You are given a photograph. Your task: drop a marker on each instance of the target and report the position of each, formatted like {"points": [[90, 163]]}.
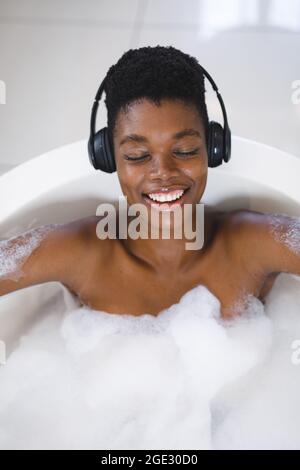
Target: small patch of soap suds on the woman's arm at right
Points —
{"points": [[289, 234]]}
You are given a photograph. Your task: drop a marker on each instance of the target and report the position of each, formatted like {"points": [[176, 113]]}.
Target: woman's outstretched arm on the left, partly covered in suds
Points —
{"points": [[48, 253]]}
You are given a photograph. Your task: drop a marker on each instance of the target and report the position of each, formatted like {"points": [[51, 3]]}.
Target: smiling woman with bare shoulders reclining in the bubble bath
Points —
{"points": [[158, 129]]}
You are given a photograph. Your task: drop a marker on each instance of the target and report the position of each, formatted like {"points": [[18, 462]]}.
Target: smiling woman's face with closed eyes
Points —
{"points": [[150, 144]]}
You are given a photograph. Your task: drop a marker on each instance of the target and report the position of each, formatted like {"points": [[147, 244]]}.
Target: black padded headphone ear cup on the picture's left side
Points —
{"points": [[103, 154]]}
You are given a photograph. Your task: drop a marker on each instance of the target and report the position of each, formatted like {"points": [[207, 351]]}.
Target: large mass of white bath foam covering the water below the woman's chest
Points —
{"points": [[182, 380]]}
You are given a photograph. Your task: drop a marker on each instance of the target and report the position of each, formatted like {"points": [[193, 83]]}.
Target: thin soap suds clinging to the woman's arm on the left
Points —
{"points": [[15, 251]]}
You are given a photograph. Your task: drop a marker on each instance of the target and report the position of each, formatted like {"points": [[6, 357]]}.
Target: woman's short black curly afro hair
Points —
{"points": [[154, 73]]}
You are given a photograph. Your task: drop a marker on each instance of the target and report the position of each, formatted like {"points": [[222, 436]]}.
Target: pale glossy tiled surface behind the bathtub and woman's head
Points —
{"points": [[54, 53]]}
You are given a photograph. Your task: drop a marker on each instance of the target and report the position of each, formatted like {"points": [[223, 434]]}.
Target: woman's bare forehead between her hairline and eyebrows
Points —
{"points": [[147, 118]]}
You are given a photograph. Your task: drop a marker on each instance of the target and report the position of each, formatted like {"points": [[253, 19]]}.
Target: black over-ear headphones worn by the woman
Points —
{"points": [[101, 153]]}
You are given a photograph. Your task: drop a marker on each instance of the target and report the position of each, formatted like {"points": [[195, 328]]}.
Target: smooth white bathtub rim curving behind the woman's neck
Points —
{"points": [[250, 159]]}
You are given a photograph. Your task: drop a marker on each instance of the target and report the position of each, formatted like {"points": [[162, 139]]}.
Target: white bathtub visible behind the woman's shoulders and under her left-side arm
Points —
{"points": [[61, 186]]}
